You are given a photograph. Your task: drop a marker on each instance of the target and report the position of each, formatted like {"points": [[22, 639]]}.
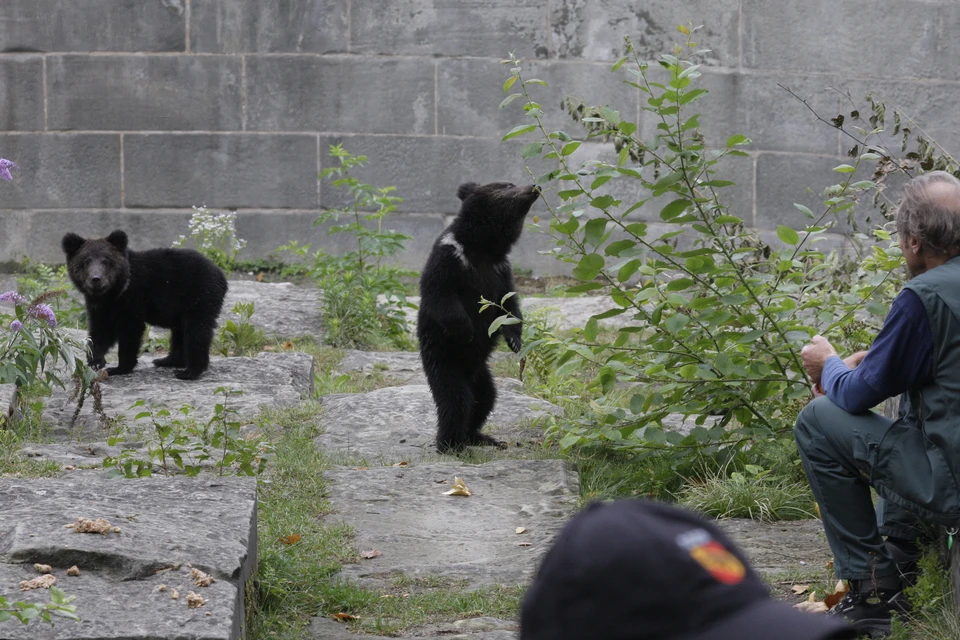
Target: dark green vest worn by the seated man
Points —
{"points": [[918, 461]]}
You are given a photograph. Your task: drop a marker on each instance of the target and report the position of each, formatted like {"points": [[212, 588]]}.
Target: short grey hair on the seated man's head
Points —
{"points": [[930, 212]]}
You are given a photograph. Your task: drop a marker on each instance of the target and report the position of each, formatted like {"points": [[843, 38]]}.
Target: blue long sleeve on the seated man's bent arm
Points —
{"points": [[900, 358]]}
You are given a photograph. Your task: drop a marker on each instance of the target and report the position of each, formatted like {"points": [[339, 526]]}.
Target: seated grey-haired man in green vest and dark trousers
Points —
{"points": [[913, 461]]}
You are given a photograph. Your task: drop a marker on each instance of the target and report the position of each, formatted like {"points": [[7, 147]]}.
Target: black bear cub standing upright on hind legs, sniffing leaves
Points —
{"points": [[469, 260]]}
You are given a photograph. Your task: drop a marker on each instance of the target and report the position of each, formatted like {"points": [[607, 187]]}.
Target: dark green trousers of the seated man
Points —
{"points": [[834, 449]]}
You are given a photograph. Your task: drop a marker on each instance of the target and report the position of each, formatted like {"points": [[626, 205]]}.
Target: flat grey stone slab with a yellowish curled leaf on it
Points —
{"points": [[420, 532]]}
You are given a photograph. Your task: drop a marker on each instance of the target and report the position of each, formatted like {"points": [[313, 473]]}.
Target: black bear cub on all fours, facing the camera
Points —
{"points": [[177, 289]]}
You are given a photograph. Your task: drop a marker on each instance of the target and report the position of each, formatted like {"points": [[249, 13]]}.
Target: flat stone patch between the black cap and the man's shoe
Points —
{"points": [[780, 547]]}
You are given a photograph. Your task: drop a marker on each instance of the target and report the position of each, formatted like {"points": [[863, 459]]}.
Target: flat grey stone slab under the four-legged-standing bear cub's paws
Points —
{"points": [[276, 379]]}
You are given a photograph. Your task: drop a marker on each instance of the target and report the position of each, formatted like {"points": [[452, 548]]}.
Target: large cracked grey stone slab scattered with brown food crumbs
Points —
{"points": [[165, 524]]}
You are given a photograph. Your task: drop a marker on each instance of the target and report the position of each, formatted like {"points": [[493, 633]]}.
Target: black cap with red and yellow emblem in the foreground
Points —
{"points": [[638, 570]]}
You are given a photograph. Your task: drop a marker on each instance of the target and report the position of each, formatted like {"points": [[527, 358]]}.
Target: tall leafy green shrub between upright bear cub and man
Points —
{"points": [[717, 314]]}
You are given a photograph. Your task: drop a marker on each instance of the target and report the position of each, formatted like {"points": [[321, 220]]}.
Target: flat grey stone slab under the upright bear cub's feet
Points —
{"points": [[396, 424]]}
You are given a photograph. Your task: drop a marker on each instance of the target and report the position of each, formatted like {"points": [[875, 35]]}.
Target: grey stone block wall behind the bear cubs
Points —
{"points": [[124, 113]]}
